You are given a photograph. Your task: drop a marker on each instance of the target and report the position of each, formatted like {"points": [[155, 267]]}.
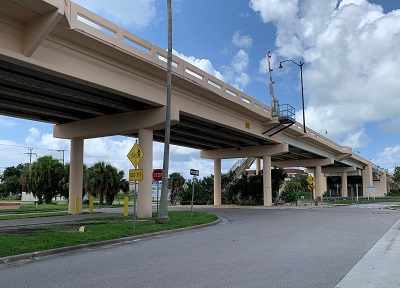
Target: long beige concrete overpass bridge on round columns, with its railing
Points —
{"points": [[62, 64]]}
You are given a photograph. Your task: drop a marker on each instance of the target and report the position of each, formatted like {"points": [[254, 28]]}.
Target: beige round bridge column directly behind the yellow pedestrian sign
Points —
{"points": [[145, 187]]}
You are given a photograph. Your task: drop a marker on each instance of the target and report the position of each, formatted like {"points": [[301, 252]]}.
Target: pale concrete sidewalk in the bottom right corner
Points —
{"points": [[379, 268]]}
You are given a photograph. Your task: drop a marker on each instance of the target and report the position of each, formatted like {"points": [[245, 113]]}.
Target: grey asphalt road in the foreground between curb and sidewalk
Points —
{"points": [[251, 248]]}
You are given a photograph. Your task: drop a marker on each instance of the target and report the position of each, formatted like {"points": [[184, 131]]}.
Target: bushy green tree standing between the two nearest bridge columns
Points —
{"points": [[104, 180]]}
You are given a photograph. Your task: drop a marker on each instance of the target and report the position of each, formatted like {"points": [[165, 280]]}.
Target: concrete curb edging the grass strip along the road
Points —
{"points": [[36, 256]]}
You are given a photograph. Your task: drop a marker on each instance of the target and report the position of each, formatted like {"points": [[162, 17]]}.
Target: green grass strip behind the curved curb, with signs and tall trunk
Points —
{"points": [[31, 239]]}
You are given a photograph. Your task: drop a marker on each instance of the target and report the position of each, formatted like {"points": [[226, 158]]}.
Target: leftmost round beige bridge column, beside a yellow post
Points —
{"points": [[76, 175]]}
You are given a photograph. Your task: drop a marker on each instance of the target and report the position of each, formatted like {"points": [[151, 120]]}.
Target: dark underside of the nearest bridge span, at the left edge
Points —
{"points": [[35, 95]]}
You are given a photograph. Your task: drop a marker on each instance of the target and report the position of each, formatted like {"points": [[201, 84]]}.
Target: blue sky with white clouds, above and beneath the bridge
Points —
{"points": [[350, 50]]}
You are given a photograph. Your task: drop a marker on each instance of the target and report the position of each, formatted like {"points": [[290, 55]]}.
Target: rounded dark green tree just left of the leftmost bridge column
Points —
{"points": [[44, 177]]}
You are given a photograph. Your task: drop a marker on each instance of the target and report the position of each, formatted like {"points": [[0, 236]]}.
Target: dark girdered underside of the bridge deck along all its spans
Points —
{"points": [[35, 95]]}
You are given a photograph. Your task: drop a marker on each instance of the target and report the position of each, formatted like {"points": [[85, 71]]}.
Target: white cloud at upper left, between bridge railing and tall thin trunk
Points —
{"points": [[139, 13]]}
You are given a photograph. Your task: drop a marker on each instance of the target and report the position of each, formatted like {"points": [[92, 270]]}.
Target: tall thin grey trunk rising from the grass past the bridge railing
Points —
{"points": [[163, 211]]}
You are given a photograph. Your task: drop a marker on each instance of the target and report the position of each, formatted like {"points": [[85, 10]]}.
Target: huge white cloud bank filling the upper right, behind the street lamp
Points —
{"points": [[351, 59]]}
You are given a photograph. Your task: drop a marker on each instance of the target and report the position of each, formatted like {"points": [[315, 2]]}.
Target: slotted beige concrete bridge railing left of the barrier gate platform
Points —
{"points": [[96, 26]]}
